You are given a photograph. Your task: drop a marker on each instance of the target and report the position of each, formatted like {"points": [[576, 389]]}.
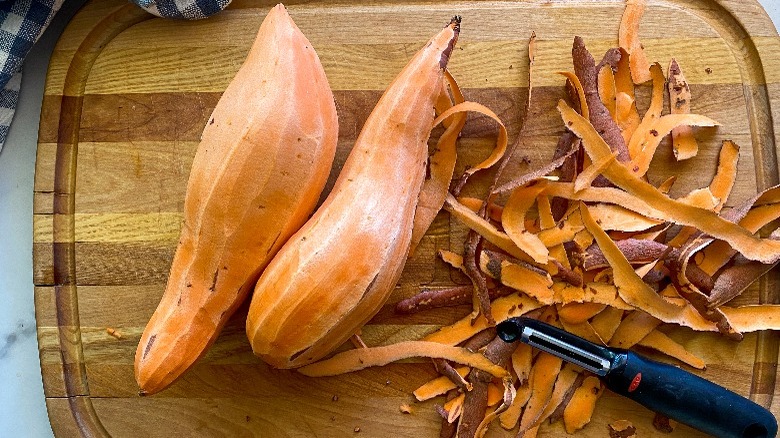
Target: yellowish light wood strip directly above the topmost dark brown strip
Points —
{"points": [[372, 66]]}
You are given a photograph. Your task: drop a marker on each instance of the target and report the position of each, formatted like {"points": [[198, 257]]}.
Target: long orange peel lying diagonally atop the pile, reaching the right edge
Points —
{"points": [[665, 208]]}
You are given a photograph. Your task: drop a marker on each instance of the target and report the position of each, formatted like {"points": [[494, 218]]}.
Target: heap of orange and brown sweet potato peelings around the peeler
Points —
{"points": [[586, 243]]}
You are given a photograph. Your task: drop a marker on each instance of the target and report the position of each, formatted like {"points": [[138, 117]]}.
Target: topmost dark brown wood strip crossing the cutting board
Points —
{"points": [[182, 116]]}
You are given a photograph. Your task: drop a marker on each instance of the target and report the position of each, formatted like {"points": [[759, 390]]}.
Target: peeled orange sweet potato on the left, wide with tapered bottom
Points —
{"points": [[262, 163]]}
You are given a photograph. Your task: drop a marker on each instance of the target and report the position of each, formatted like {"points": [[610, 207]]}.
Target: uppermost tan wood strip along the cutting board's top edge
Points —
{"points": [[378, 24]]}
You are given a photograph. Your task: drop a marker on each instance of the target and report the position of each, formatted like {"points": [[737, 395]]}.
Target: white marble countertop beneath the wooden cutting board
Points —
{"points": [[22, 408]]}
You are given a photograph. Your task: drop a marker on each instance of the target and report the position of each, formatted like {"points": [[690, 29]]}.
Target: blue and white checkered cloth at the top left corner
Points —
{"points": [[23, 21]]}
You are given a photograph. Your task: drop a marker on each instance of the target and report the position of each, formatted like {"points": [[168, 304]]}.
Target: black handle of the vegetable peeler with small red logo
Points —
{"points": [[688, 398]]}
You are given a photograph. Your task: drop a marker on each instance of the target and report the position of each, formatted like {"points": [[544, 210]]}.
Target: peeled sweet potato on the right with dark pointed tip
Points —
{"points": [[338, 270]]}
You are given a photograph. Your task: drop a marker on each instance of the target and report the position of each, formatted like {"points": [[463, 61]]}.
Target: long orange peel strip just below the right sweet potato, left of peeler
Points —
{"points": [[361, 358]]}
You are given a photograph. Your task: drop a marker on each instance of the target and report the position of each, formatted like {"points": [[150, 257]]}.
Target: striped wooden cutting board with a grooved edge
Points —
{"points": [[127, 96]]}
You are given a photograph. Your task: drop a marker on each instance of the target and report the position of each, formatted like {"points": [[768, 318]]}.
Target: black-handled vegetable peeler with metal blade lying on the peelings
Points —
{"points": [[666, 389]]}
